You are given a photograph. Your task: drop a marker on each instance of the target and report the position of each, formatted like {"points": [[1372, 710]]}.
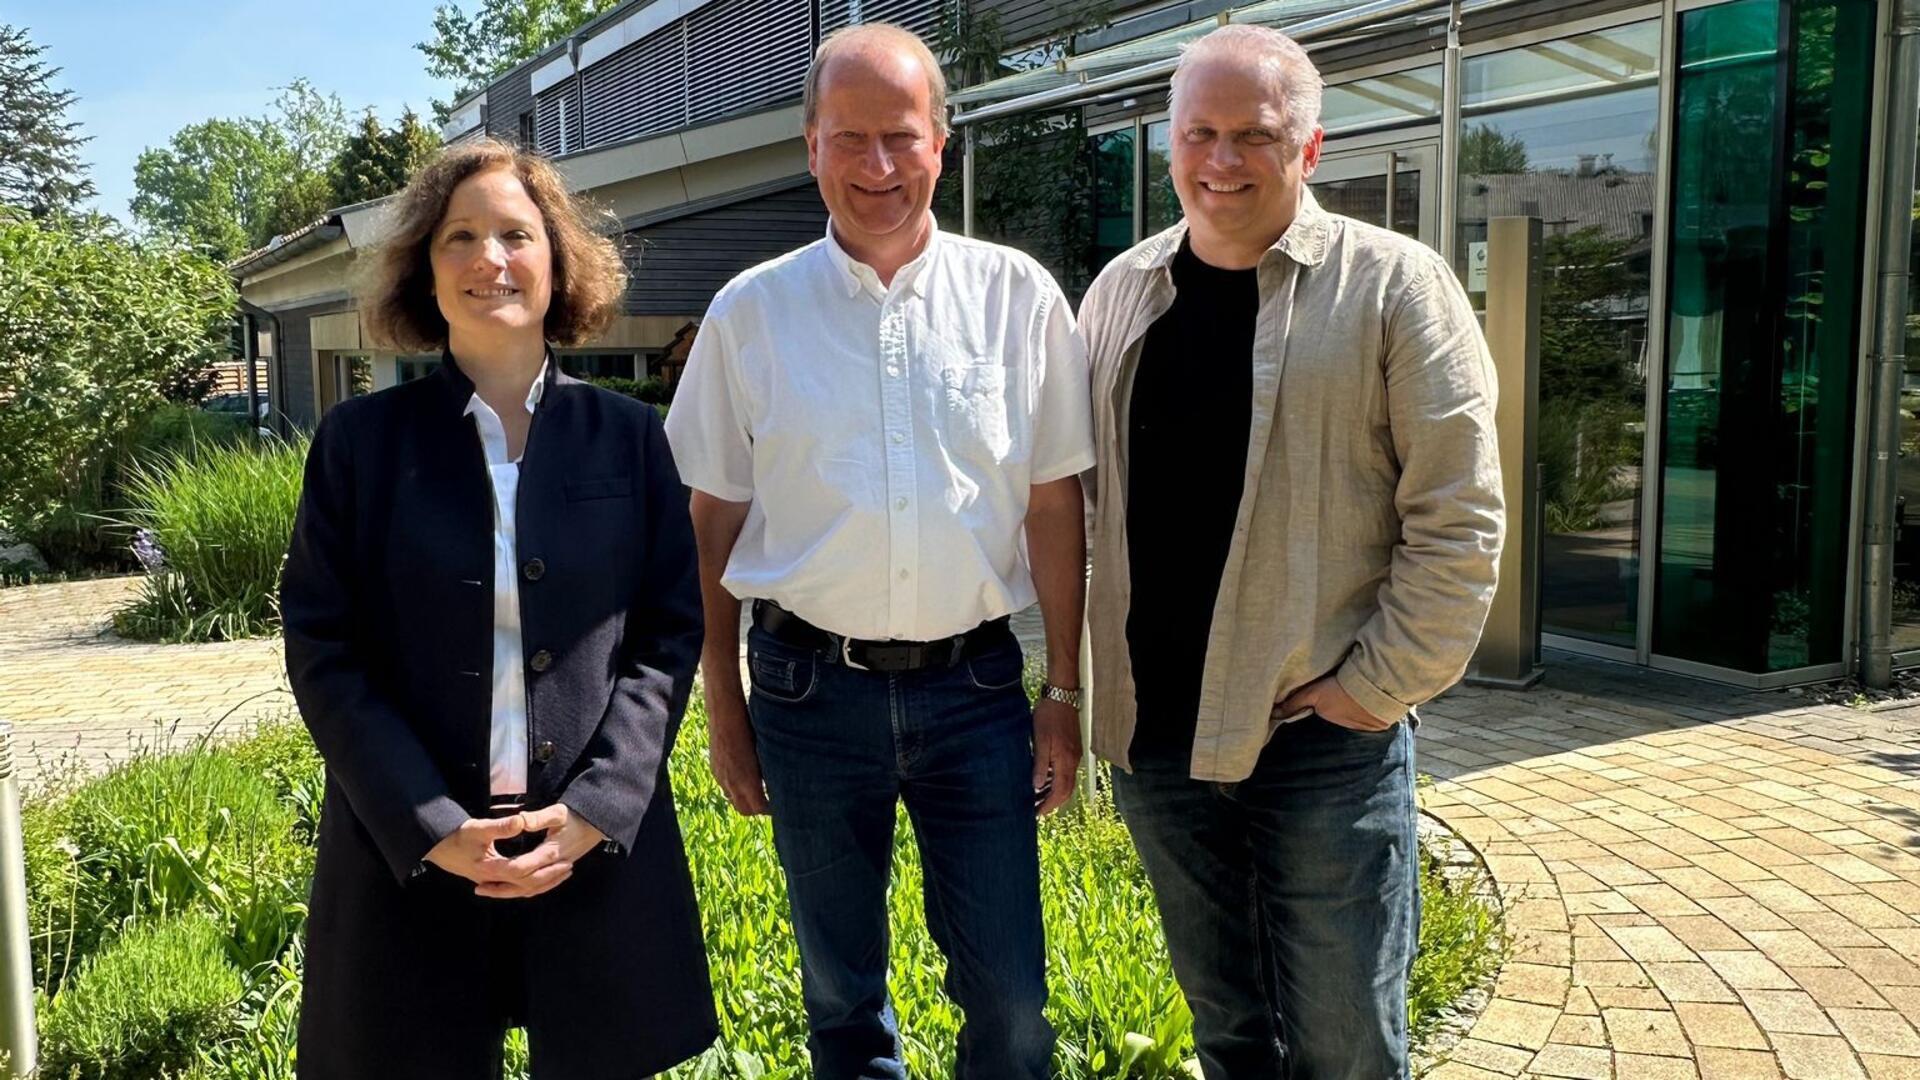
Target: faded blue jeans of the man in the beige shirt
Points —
{"points": [[1291, 900]]}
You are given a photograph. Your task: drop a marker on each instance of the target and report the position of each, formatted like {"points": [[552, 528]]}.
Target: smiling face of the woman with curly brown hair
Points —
{"points": [[492, 260]]}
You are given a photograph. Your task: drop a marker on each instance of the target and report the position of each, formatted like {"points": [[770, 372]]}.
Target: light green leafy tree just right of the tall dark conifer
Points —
{"points": [[231, 185]]}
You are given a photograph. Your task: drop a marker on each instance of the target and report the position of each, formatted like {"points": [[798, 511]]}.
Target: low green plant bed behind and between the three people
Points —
{"points": [[224, 837]]}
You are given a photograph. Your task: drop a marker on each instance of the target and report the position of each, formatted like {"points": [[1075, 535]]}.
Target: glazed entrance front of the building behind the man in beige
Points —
{"points": [[1712, 185]]}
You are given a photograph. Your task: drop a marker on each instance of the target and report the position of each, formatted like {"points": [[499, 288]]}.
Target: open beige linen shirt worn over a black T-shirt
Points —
{"points": [[1372, 510]]}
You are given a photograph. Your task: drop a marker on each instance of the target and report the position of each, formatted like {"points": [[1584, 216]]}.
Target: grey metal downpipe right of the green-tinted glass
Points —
{"points": [[1890, 347]]}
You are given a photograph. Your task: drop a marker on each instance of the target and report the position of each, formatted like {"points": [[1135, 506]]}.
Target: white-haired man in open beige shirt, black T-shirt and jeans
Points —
{"points": [[1259, 654]]}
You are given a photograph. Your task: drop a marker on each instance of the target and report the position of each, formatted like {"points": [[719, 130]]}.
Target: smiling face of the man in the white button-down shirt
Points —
{"points": [[875, 149]]}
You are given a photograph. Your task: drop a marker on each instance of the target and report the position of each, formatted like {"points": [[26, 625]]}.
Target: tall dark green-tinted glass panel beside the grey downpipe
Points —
{"points": [[1769, 210]]}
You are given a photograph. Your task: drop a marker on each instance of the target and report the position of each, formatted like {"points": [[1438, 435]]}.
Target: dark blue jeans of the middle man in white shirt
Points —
{"points": [[838, 750]]}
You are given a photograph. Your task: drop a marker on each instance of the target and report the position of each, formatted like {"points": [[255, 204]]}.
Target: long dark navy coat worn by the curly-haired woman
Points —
{"points": [[389, 614]]}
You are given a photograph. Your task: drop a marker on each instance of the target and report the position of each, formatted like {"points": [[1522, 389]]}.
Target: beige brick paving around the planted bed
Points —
{"points": [[1700, 883]]}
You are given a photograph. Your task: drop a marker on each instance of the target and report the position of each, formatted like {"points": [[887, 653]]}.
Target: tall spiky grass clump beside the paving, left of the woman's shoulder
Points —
{"points": [[222, 520]]}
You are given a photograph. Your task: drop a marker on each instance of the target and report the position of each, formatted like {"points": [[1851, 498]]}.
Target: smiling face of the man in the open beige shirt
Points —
{"points": [[1234, 170]]}
